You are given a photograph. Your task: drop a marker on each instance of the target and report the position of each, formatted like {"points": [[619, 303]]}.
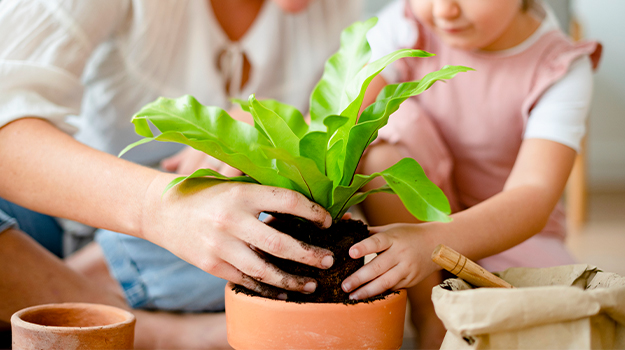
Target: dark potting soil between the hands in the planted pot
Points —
{"points": [[338, 238]]}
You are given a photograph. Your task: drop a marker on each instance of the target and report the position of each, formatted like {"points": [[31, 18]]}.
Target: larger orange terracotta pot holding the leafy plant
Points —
{"points": [[260, 323]]}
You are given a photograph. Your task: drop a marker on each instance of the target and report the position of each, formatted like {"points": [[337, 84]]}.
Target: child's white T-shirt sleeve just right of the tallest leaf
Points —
{"points": [[392, 32]]}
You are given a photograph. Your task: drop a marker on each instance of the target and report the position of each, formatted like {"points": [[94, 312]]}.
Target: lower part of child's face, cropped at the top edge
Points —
{"points": [[469, 24]]}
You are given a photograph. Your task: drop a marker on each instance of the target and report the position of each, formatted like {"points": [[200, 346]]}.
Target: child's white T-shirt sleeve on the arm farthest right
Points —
{"points": [[560, 114]]}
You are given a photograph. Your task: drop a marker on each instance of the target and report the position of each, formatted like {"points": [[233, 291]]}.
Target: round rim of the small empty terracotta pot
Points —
{"points": [[16, 318]]}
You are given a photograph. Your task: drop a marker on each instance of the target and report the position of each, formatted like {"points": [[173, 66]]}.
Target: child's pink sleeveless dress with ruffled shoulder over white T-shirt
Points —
{"points": [[467, 132]]}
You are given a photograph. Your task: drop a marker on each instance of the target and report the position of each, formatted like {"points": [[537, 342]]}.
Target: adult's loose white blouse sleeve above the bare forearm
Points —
{"points": [[44, 47]]}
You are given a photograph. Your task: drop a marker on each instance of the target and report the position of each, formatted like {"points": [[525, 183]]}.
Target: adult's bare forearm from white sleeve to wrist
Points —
{"points": [[48, 171]]}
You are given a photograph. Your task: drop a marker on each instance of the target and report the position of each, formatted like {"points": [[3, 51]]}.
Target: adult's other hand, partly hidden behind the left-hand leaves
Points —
{"points": [[189, 160]]}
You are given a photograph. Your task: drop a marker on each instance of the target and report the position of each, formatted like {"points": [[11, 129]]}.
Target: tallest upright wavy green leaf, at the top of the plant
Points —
{"points": [[339, 70]]}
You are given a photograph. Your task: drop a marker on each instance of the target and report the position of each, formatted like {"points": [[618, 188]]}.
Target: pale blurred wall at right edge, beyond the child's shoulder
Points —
{"points": [[603, 20]]}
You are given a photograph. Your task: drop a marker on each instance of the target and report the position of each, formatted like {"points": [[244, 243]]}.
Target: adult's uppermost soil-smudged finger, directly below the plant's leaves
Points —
{"points": [[280, 200]]}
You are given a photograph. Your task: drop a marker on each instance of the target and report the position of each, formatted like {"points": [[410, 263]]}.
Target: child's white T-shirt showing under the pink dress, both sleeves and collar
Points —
{"points": [[561, 112]]}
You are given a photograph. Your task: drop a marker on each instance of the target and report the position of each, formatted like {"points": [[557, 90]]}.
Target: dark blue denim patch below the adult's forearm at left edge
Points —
{"points": [[42, 228]]}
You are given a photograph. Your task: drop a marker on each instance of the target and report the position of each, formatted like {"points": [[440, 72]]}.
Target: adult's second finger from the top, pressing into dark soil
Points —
{"points": [[276, 243]]}
